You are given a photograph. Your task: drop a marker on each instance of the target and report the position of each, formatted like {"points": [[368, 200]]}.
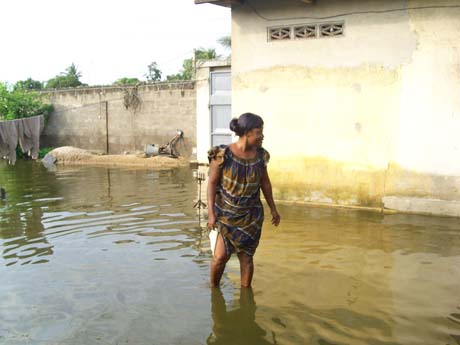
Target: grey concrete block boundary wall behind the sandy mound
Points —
{"points": [[82, 117]]}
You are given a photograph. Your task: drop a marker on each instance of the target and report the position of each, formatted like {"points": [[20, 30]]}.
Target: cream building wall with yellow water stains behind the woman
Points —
{"points": [[361, 99]]}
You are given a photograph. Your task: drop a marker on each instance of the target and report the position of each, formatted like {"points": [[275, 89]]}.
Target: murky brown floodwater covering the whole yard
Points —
{"points": [[117, 256]]}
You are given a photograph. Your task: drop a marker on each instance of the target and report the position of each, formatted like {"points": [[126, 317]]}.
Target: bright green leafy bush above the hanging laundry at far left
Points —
{"points": [[20, 103]]}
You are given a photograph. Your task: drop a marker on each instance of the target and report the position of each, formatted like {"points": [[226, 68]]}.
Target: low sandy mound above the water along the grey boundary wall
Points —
{"points": [[68, 155]]}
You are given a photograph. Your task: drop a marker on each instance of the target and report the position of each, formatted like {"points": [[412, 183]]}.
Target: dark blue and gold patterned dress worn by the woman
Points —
{"points": [[238, 208]]}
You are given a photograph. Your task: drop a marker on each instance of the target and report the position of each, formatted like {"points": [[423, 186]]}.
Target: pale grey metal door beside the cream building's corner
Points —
{"points": [[221, 107]]}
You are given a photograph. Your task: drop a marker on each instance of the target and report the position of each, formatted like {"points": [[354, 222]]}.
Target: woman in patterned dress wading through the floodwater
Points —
{"points": [[237, 172]]}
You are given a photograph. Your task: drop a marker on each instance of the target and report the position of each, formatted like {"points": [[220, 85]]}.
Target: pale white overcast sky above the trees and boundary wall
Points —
{"points": [[106, 40]]}
